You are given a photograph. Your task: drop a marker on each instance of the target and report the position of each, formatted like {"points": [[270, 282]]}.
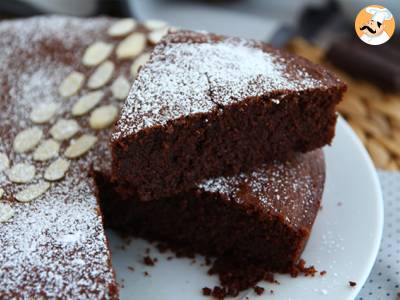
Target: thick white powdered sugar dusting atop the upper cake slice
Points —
{"points": [[191, 73]]}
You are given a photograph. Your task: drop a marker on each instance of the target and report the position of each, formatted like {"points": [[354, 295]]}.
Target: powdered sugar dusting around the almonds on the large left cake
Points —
{"points": [[54, 246]]}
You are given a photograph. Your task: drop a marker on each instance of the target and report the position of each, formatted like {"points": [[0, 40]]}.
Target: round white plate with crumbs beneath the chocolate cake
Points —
{"points": [[344, 241]]}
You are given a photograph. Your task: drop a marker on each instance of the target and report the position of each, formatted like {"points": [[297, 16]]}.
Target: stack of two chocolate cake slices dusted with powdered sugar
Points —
{"points": [[216, 152]]}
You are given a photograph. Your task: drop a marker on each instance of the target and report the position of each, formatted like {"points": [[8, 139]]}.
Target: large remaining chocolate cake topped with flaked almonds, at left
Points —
{"points": [[55, 82]]}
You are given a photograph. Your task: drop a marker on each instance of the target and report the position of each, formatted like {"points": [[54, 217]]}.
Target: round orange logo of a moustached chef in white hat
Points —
{"points": [[374, 25]]}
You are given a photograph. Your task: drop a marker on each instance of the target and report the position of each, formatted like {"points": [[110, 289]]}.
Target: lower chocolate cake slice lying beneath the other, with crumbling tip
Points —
{"points": [[252, 223]]}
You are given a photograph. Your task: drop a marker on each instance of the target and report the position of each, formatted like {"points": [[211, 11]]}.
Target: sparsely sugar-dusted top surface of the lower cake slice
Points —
{"points": [[290, 189]]}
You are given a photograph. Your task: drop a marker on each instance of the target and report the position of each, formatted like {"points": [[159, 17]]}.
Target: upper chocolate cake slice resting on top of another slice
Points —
{"points": [[207, 105]]}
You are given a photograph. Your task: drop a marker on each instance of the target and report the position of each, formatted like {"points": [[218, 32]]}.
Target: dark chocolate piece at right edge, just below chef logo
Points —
{"points": [[377, 64]]}
